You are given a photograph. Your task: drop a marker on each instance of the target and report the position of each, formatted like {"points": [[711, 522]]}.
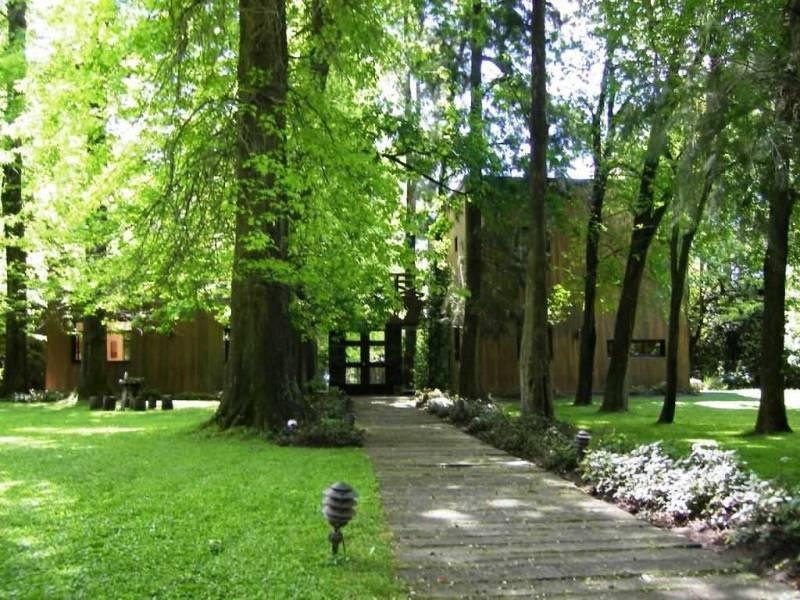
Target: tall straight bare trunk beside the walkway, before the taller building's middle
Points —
{"points": [[536, 397]]}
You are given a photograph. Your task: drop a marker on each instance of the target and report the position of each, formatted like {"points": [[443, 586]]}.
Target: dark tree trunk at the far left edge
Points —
{"points": [[15, 374]]}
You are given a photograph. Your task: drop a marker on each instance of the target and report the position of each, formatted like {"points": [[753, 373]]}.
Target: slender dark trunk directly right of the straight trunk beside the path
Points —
{"points": [[588, 341]]}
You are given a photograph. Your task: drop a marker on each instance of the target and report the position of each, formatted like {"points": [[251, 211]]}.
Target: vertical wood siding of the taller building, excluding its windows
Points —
{"points": [[503, 289]]}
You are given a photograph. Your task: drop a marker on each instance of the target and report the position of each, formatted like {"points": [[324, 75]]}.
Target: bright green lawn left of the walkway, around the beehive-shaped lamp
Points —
{"points": [[144, 505]]}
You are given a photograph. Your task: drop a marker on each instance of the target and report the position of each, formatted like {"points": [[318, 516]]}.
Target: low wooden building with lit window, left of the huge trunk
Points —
{"points": [[191, 358]]}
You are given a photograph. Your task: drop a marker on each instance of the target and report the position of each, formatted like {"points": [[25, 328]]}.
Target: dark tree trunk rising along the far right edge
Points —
{"points": [[781, 196]]}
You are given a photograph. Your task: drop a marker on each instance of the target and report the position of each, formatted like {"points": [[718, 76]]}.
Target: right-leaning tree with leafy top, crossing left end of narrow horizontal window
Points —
{"points": [[661, 48]]}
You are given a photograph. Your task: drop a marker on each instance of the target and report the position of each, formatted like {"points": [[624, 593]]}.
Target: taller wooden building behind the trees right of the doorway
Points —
{"points": [[504, 231]]}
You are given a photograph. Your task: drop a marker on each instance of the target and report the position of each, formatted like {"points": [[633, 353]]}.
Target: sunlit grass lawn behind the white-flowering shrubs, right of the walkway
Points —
{"points": [[726, 417]]}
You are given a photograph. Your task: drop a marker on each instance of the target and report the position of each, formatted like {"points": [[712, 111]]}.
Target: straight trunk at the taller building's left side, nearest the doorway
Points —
{"points": [[469, 384]]}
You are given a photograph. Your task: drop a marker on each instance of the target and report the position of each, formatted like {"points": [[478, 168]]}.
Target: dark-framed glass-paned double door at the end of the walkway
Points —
{"points": [[358, 363]]}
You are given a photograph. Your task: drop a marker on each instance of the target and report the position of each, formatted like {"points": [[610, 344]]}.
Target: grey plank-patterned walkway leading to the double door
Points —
{"points": [[471, 521]]}
